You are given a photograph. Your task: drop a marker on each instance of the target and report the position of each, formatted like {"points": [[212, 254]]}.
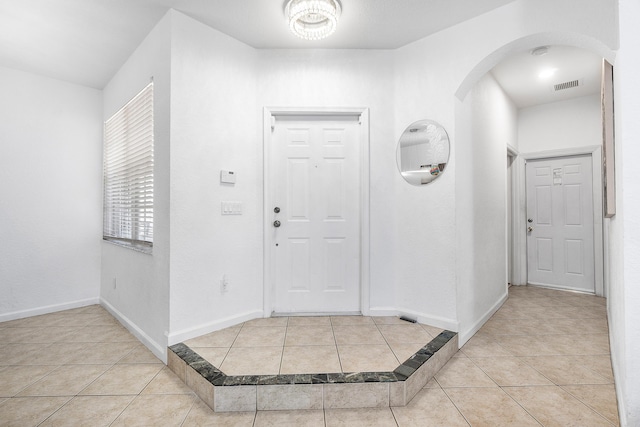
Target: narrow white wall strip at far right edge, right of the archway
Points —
{"points": [[624, 272]]}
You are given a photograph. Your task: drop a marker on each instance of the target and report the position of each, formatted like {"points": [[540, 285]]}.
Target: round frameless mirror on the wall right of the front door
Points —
{"points": [[423, 152]]}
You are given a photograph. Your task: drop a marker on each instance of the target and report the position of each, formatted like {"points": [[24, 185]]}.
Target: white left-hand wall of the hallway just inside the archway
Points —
{"points": [[488, 120]]}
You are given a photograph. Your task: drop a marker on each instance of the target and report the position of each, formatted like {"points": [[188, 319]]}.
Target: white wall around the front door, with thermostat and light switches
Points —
{"points": [[219, 89]]}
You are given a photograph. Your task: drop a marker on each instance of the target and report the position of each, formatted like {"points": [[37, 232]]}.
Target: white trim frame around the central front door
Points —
{"points": [[269, 117]]}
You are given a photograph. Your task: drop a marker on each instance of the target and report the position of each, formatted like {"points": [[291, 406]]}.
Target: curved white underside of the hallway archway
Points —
{"points": [[530, 42]]}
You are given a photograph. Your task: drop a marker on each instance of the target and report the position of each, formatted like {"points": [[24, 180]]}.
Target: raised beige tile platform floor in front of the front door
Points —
{"points": [[313, 345]]}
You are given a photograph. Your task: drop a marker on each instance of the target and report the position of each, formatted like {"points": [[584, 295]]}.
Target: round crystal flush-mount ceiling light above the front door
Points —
{"points": [[313, 19]]}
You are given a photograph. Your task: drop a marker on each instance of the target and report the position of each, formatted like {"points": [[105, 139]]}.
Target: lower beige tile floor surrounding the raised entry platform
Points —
{"points": [[543, 359]]}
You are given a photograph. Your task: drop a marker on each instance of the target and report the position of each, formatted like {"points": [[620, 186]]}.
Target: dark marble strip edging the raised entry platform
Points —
{"points": [[401, 373]]}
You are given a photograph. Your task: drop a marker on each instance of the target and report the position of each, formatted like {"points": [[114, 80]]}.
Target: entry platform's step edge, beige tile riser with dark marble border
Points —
{"points": [[403, 383]]}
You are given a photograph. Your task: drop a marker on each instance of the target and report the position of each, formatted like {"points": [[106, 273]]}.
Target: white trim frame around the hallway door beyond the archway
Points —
{"points": [[595, 151]]}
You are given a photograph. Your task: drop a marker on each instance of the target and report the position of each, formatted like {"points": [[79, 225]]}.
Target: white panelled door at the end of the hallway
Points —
{"points": [[560, 245]]}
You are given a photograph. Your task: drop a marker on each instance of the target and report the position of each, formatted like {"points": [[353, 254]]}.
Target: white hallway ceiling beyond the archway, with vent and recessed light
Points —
{"points": [[519, 75]]}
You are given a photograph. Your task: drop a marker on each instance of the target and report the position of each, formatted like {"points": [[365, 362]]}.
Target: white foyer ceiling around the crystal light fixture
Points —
{"points": [[86, 41]]}
